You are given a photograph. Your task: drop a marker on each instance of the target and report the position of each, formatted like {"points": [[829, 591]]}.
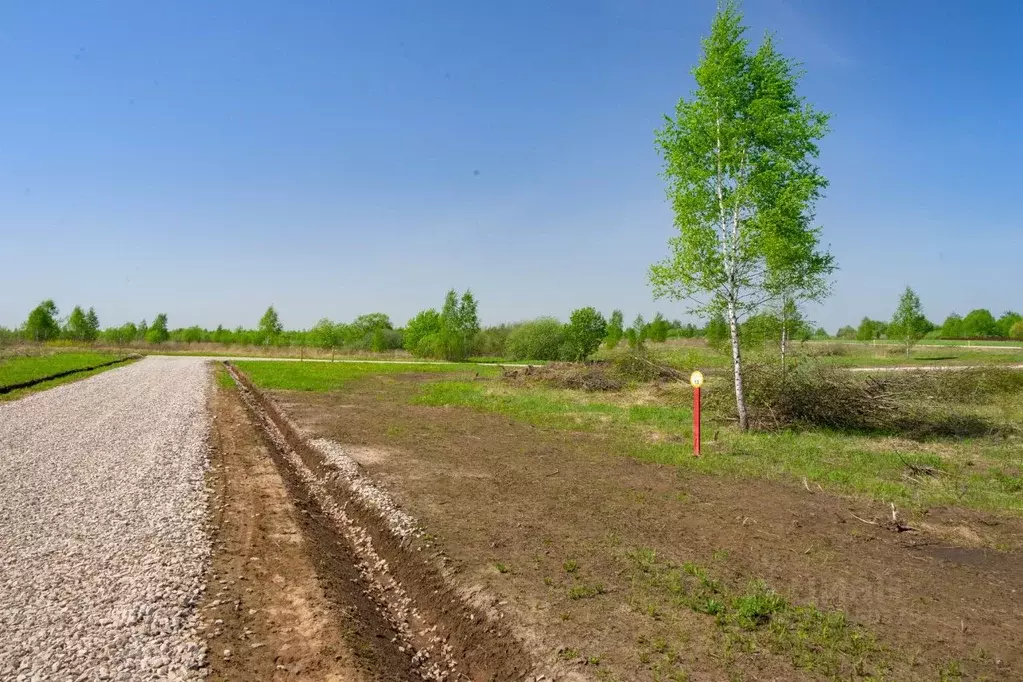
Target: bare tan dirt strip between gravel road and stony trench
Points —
{"points": [[284, 600]]}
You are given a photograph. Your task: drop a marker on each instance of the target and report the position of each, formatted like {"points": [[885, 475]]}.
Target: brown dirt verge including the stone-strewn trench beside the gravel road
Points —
{"points": [[309, 583]]}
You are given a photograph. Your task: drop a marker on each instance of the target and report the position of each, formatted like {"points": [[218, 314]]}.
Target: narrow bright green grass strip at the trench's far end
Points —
{"points": [[324, 377]]}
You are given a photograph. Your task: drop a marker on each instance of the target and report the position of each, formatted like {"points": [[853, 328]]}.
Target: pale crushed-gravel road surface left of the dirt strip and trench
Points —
{"points": [[103, 541]]}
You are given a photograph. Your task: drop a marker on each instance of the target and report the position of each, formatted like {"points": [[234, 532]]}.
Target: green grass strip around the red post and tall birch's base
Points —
{"points": [[983, 474]]}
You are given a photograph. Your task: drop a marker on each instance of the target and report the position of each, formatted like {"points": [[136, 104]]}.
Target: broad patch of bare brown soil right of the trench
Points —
{"points": [[581, 549]]}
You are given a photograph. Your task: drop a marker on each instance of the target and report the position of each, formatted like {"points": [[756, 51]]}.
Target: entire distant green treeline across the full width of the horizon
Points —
{"points": [[455, 333]]}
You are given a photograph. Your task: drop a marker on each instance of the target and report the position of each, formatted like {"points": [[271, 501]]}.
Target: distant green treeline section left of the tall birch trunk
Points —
{"points": [[453, 333]]}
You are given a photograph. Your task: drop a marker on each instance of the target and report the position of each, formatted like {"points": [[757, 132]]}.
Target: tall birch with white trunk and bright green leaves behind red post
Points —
{"points": [[739, 162]]}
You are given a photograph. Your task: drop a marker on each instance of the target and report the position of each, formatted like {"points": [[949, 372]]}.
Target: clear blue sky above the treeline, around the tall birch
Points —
{"points": [[208, 159]]}
